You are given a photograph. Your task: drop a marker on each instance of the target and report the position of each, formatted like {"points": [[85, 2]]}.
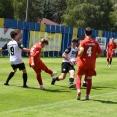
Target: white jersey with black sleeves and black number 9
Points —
{"points": [[15, 50]]}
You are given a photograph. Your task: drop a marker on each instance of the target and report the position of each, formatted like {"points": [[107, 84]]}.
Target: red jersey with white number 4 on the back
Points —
{"points": [[91, 47]]}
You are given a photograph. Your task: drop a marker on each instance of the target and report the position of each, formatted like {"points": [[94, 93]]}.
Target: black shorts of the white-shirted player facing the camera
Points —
{"points": [[66, 67]]}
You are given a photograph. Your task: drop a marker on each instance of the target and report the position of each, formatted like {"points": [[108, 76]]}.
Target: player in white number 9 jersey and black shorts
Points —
{"points": [[15, 48]]}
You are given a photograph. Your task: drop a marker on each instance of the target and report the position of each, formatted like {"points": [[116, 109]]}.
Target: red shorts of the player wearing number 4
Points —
{"points": [[86, 71]]}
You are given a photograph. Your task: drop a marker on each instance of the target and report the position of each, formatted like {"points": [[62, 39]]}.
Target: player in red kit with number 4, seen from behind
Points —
{"points": [[89, 50]]}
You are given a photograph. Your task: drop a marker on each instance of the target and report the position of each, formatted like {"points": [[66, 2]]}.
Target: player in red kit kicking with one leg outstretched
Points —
{"points": [[36, 63]]}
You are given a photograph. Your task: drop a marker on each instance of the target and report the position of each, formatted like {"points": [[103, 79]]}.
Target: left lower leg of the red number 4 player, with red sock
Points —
{"points": [[78, 86]]}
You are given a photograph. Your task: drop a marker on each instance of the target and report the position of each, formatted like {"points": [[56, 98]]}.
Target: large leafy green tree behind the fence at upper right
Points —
{"points": [[89, 13]]}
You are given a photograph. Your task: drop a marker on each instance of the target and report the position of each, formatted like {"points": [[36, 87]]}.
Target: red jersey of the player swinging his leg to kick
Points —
{"points": [[35, 52]]}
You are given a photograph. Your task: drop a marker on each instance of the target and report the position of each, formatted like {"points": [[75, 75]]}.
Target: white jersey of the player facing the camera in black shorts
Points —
{"points": [[71, 53]]}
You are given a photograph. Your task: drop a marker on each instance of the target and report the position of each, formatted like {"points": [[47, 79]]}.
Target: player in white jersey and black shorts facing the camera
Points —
{"points": [[67, 65]]}
